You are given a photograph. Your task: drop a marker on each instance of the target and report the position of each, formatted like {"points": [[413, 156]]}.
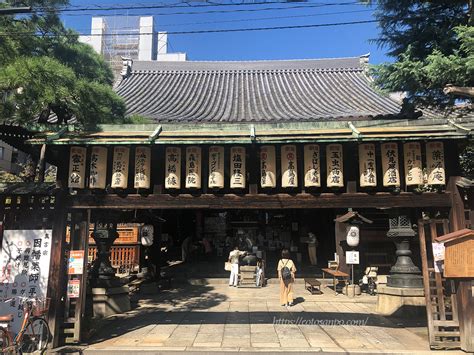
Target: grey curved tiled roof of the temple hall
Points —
{"points": [[261, 91]]}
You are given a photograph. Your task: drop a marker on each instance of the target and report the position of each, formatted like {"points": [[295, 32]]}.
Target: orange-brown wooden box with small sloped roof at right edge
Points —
{"points": [[459, 253]]}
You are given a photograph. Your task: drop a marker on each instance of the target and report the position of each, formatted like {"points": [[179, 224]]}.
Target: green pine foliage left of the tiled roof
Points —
{"points": [[46, 72]]}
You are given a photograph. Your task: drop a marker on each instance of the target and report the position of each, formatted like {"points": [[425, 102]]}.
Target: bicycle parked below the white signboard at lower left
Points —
{"points": [[34, 333]]}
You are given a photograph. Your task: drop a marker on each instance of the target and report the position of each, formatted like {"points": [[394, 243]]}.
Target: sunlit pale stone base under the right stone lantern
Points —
{"points": [[392, 301]]}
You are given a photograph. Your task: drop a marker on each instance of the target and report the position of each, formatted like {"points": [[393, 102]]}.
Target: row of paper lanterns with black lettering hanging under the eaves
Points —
{"points": [[268, 167]]}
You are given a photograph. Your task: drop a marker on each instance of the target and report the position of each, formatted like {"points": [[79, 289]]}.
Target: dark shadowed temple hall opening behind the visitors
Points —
{"points": [[209, 236]]}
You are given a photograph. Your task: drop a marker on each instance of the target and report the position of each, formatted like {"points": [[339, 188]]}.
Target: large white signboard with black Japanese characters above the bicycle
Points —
{"points": [[24, 258]]}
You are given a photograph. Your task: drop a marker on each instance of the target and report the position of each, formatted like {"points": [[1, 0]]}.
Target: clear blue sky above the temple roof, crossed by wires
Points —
{"points": [[322, 42]]}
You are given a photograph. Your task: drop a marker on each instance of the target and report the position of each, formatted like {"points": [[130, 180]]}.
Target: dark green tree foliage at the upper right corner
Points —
{"points": [[432, 43]]}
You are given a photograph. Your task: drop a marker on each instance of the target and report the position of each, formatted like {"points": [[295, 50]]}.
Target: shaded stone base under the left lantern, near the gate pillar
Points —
{"points": [[110, 301]]}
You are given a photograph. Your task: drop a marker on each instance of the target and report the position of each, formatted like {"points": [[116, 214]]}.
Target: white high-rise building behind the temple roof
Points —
{"points": [[132, 37]]}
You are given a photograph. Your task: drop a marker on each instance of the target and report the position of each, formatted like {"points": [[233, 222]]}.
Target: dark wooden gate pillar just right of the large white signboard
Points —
{"points": [[57, 270]]}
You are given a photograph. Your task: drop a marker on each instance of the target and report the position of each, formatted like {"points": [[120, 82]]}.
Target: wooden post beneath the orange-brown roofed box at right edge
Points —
{"points": [[465, 305]]}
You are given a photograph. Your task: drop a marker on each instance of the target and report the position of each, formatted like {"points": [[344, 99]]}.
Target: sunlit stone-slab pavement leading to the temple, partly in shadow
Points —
{"points": [[221, 318]]}
